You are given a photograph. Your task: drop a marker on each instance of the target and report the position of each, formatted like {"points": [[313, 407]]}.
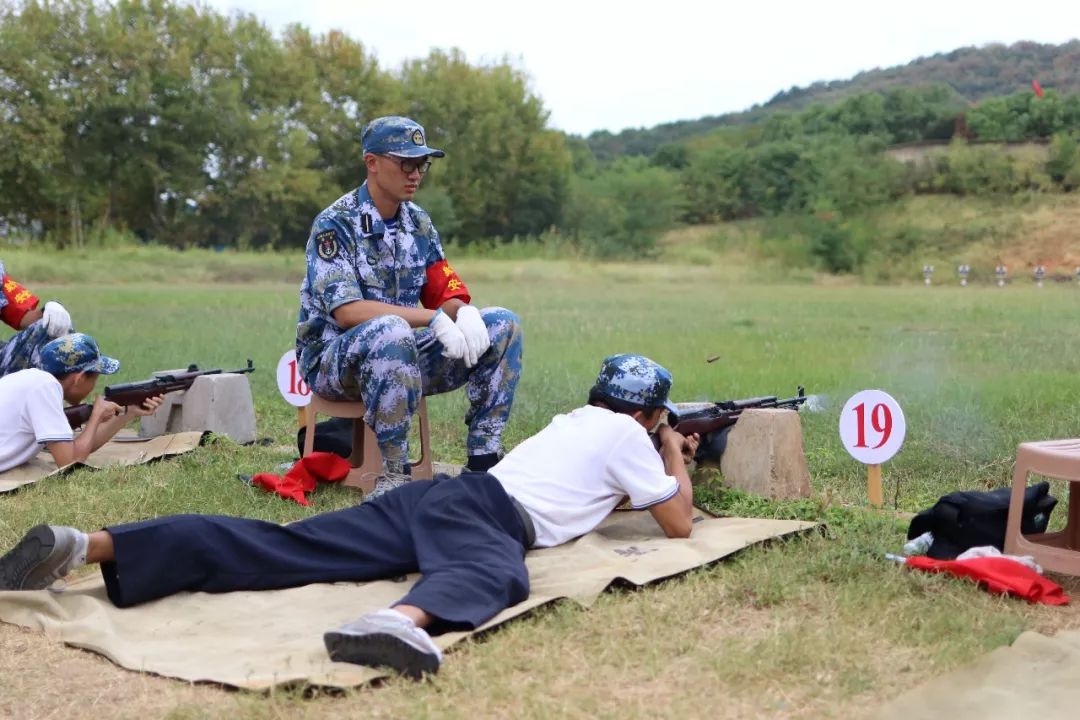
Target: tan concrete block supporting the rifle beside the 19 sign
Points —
{"points": [[765, 455]]}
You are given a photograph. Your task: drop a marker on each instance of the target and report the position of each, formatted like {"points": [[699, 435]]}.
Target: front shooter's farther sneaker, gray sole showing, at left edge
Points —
{"points": [[43, 556]]}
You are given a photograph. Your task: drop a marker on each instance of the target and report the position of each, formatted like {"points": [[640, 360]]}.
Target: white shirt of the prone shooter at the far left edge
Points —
{"points": [[32, 414]]}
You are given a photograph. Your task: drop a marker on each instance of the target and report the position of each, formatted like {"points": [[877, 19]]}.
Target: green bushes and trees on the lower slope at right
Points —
{"points": [[829, 164]]}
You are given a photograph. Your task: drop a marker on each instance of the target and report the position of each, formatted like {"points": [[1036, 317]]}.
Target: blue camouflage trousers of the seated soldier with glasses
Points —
{"points": [[388, 365]]}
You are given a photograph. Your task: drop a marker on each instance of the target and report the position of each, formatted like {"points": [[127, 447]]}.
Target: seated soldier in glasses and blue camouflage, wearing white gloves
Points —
{"points": [[373, 257]]}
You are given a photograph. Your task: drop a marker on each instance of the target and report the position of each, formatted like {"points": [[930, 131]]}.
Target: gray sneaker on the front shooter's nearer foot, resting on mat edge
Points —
{"points": [[385, 639]]}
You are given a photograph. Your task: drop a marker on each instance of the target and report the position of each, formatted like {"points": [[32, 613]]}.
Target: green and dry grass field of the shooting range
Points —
{"points": [[819, 627]]}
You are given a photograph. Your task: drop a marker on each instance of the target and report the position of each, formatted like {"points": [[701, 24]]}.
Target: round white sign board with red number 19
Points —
{"points": [[872, 427]]}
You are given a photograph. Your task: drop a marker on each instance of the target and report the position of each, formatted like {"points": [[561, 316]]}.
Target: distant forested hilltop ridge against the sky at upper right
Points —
{"points": [[973, 73]]}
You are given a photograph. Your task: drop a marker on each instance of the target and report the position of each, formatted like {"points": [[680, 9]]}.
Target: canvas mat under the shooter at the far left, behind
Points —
{"points": [[125, 450]]}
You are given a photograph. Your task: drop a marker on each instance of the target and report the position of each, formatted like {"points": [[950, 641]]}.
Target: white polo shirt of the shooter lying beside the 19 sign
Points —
{"points": [[572, 474]]}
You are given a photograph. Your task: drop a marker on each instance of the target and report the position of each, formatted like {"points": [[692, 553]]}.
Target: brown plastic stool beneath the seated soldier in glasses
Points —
{"points": [[367, 458]]}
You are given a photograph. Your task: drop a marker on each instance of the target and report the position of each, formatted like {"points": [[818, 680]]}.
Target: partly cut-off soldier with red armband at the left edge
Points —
{"points": [[19, 309]]}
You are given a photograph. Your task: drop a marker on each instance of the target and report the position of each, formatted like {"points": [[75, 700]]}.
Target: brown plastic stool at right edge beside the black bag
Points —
{"points": [[1055, 551]]}
